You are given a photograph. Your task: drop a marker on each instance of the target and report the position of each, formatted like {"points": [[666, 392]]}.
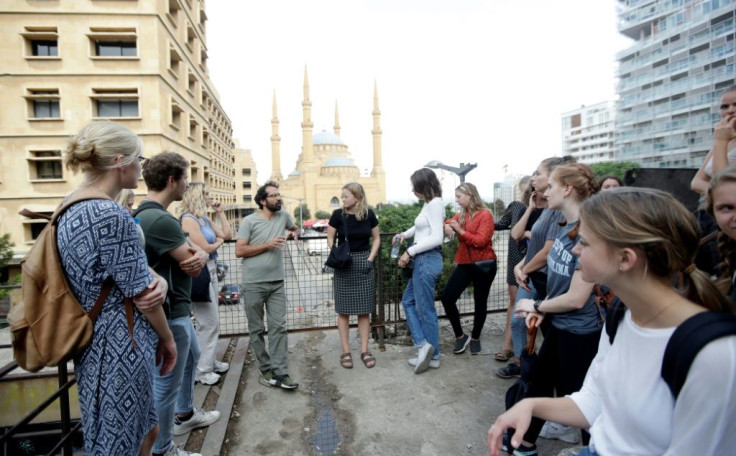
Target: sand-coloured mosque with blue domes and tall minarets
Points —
{"points": [[325, 164]]}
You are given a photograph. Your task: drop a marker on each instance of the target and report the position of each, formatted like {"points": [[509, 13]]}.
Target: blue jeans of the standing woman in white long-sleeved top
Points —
{"points": [[418, 300]]}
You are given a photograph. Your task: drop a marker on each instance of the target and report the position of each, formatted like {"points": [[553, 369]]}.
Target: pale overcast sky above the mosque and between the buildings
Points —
{"points": [[474, 81]]}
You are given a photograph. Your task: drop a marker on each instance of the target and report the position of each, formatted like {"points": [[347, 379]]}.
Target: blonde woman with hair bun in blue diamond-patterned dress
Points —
{"points": [[97, 240]]}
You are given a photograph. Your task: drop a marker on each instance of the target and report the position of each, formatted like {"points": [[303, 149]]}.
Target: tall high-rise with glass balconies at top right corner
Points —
{"points": [[671, 78]]}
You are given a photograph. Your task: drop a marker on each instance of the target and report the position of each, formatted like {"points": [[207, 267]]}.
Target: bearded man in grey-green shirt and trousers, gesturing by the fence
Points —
{"points": [[260, 241]]}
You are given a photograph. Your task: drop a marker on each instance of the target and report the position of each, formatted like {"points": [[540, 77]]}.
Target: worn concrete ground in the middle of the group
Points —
{"points": [[387, 410]]}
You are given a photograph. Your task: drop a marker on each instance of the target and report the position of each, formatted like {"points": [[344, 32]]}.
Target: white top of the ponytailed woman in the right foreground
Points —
{"points": [[632, 411]]}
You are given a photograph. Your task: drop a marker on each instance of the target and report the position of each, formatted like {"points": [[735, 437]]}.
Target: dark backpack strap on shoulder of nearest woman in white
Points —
{"points": [[686, 342]]}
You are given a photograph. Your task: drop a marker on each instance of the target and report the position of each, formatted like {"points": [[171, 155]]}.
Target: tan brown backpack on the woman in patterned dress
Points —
{"points": [[50, 326]]}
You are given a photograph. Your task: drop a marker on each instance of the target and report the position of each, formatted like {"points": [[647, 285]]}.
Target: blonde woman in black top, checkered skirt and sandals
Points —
{"points": [[355, 286]]}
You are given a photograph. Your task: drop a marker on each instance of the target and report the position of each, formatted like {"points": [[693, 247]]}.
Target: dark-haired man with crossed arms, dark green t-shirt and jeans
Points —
{"points": [[177, 260]]}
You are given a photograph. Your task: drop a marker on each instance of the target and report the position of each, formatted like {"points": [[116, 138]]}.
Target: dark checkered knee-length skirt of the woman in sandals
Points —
{"points": [[355, 286]]}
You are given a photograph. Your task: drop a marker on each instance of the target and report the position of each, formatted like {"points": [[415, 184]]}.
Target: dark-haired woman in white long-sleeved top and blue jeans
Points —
{"points": [[426, 254]]}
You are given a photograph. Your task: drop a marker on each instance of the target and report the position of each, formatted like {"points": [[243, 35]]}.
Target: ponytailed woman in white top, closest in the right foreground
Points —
{"points": [[635, 241]]}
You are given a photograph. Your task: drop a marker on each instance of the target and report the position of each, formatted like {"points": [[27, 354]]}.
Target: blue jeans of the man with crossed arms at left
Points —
{"points": [[174, 392]]}
